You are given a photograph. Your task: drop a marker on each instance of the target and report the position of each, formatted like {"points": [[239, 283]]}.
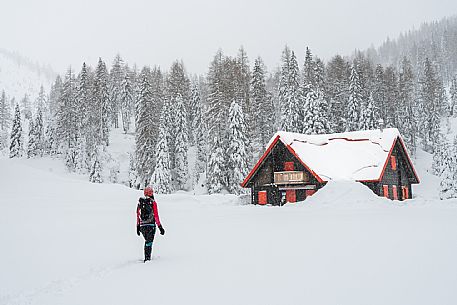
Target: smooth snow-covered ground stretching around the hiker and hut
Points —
{"points": [[66, 241]]}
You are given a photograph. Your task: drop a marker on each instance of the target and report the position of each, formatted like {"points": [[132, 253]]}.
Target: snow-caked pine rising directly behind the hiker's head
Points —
{"points": [[161, 179]]}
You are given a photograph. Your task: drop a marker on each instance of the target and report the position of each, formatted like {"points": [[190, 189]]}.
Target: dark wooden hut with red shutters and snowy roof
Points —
{"points": [[295, 166]]}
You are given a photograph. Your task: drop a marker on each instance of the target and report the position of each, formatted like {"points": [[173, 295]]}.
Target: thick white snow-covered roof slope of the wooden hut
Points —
{"points": [[358, 155]]}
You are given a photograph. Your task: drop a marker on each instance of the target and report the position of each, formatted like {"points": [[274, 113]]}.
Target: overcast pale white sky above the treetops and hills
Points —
{"points": [[61, 32]]}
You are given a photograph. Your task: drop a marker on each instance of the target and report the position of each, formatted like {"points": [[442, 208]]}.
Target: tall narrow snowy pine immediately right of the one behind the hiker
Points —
{"points": [[181, 144]]}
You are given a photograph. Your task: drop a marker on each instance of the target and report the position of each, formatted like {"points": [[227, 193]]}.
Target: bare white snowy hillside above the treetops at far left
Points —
{"points": [[19, 76]]}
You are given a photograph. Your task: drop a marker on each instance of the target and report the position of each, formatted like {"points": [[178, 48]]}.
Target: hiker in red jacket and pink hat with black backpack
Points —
{"points": [[147, 219]]}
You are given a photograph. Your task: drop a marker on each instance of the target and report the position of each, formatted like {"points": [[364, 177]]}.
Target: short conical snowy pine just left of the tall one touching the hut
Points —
{"points": [[216, 178]]}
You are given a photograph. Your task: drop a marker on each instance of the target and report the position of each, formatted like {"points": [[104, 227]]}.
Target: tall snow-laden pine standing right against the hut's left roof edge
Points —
{"points": [[238, 167]]}
